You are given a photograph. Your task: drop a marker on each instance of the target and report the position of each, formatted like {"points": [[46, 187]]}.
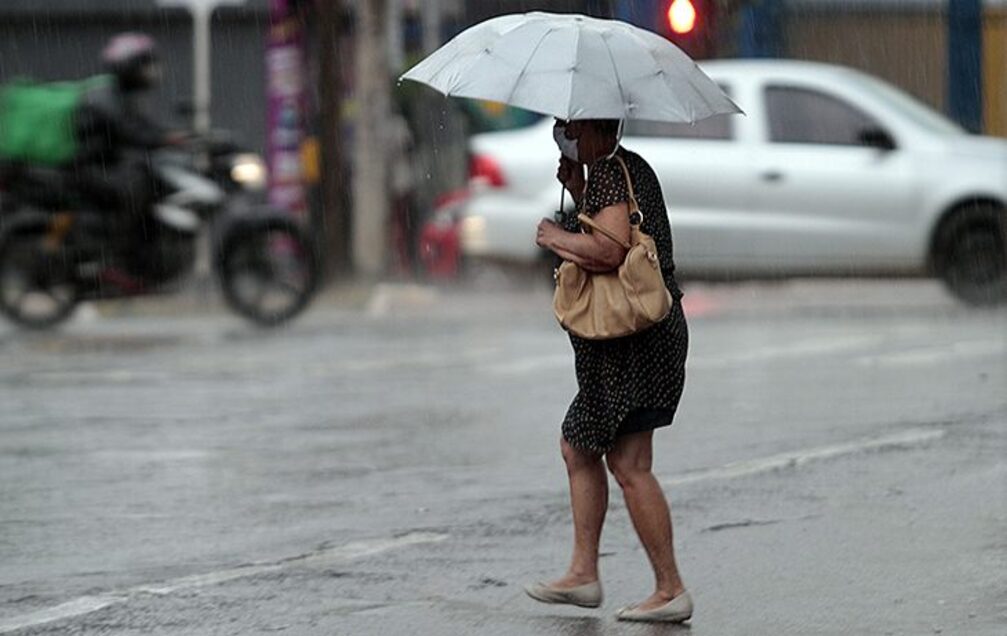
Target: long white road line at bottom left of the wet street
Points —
{"points": [[90, 604]]}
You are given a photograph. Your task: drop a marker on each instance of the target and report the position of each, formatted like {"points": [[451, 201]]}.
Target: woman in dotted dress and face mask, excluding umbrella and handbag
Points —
{"points": [[629, 387]]}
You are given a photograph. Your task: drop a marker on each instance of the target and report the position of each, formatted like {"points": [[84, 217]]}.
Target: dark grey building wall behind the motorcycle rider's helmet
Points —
{"points": [[61, 40]]}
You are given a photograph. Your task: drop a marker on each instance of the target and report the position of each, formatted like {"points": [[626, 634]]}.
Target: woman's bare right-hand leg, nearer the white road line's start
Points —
{"points": [[631, 461]]}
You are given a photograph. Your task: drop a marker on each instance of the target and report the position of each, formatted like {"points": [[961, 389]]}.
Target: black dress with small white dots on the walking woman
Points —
{"points": [[633, 384]]}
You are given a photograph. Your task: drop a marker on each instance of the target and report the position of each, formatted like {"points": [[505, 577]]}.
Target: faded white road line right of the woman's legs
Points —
{"points": [[796, 459]]}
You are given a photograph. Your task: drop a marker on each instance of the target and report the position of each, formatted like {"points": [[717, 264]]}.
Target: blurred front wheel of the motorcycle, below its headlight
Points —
{"points": [[269, 272]]}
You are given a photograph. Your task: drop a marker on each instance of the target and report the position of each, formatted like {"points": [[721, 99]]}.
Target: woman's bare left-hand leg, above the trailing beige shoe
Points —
{"points": [[590, 502]]}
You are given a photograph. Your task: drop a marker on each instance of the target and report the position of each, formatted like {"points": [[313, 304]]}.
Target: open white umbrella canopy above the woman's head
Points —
{"points": [[573, 67]]}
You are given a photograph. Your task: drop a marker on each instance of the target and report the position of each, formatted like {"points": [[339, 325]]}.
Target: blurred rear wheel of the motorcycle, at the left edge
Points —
{"points": [[38, 289]]}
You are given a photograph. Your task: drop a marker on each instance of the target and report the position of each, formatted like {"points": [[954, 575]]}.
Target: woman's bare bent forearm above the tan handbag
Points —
{"points": [[594, 252]]}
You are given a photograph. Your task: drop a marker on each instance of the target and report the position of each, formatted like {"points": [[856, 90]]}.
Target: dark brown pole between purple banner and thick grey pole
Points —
{"points": [[336, 214]]}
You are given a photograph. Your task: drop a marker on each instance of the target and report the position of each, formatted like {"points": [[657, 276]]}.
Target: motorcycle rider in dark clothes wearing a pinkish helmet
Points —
{"points": [[115, 137]]}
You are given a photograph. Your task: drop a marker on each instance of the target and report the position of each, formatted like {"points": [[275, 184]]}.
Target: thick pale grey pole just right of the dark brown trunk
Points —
{"points": [[371, 202]]}
